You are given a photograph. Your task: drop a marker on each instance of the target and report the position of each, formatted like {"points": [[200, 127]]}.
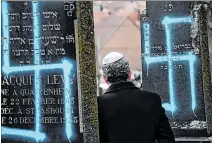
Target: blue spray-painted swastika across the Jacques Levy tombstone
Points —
{"points": [[66, 65]]}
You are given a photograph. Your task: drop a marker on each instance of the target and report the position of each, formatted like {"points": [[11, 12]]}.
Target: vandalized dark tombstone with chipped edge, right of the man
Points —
{"points": [[173, 64]]}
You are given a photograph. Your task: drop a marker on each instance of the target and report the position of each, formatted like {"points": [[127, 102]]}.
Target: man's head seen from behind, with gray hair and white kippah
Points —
{"points": [[115, 68]]}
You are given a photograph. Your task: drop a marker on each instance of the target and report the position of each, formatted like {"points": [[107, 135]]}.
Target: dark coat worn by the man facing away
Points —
{"points": [[130, 115]]}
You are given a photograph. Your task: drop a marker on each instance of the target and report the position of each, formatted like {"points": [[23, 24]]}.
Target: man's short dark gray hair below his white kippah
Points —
{"points": [[117, 71]]}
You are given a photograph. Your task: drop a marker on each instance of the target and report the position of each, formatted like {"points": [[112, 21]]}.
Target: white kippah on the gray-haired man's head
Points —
{"points": [[112, 57]]}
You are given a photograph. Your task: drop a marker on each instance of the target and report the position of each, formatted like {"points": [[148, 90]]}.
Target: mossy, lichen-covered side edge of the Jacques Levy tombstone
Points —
{"points": [[88, 70]]}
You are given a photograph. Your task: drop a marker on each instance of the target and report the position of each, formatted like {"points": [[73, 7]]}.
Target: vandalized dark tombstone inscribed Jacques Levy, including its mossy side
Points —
{"points": [[48, 72]]}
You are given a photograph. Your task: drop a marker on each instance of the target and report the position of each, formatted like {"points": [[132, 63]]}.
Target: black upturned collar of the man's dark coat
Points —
{"points": [[121, 86]]}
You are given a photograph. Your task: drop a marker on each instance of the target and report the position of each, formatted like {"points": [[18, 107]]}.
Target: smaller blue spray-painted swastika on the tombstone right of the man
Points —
{"points": [[168, 22]]}
